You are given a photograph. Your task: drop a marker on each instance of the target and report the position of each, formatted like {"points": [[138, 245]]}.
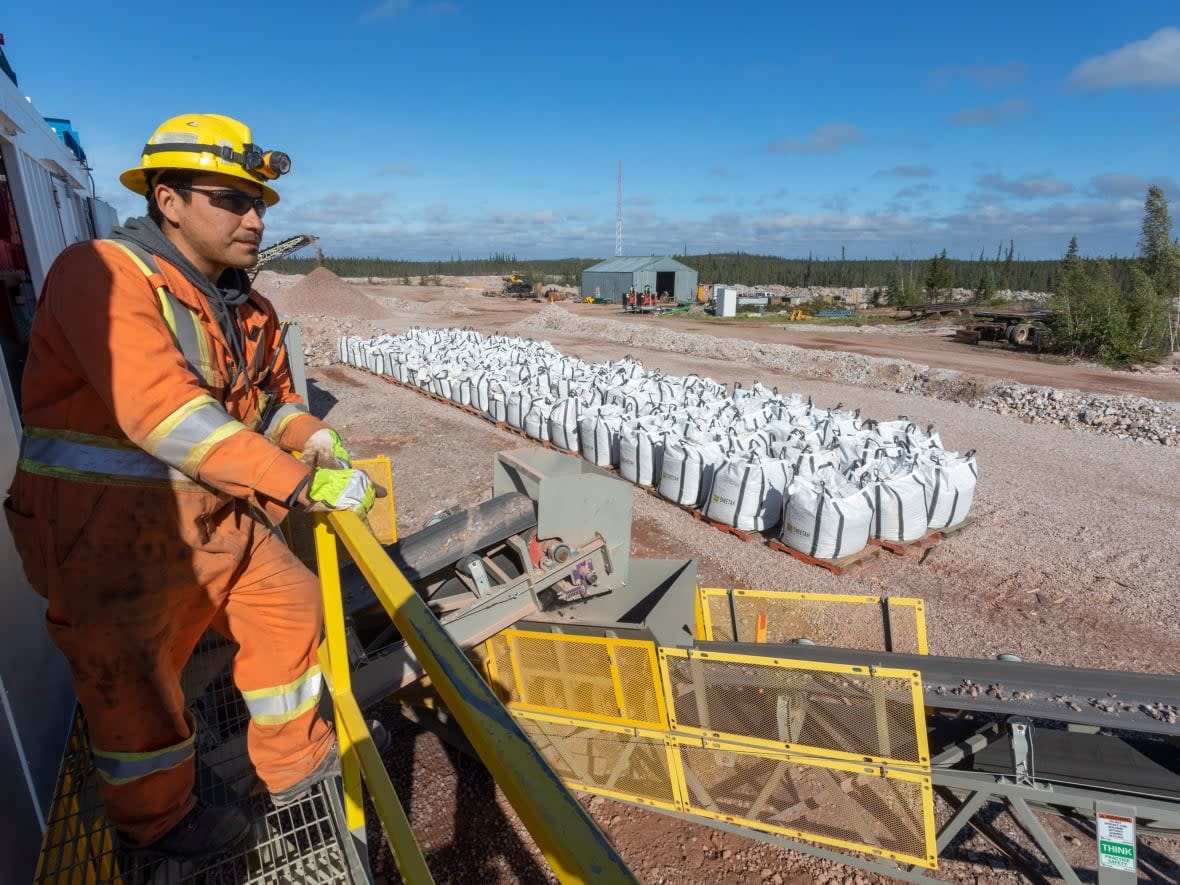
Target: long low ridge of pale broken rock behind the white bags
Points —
{"points": [[1135, 418]]}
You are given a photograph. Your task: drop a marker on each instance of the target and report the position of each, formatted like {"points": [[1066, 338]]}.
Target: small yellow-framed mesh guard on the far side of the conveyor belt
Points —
{"points": [[845, 621]]}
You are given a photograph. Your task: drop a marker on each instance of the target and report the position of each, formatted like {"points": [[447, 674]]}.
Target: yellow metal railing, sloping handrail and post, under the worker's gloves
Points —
{"points": [[571, 841]]}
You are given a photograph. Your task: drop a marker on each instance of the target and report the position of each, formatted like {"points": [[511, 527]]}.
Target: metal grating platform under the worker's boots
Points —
{"points": [[306, 843]]}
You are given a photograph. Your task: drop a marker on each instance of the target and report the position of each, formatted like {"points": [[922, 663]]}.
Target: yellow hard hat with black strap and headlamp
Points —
{"points": [[208, 143]]}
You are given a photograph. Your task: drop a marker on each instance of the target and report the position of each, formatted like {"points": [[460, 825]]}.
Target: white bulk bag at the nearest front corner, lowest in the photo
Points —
{"points": [[827, 516]]}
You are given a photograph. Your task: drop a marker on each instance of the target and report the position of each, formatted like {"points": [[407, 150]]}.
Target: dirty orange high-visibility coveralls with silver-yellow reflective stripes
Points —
{"points": [[141, 509]]}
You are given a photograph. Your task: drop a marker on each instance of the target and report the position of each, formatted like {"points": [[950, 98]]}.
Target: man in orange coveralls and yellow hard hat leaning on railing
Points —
{"points": [[160, 416]]}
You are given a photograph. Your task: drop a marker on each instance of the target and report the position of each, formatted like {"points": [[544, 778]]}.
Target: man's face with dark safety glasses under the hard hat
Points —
{"points": [[208, 228]]}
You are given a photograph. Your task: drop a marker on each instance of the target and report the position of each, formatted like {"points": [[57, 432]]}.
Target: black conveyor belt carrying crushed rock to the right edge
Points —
{"points": [[1107, 699]]}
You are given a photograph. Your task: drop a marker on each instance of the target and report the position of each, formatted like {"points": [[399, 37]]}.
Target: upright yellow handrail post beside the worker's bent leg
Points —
{"points": [[339, 678]]}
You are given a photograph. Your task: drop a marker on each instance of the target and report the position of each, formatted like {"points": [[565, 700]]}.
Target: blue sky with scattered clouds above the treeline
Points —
{"points": [[435, 129]]}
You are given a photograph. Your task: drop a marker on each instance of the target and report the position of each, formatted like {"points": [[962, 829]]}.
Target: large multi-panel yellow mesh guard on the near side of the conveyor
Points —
{"points": [[830, 753]]}
